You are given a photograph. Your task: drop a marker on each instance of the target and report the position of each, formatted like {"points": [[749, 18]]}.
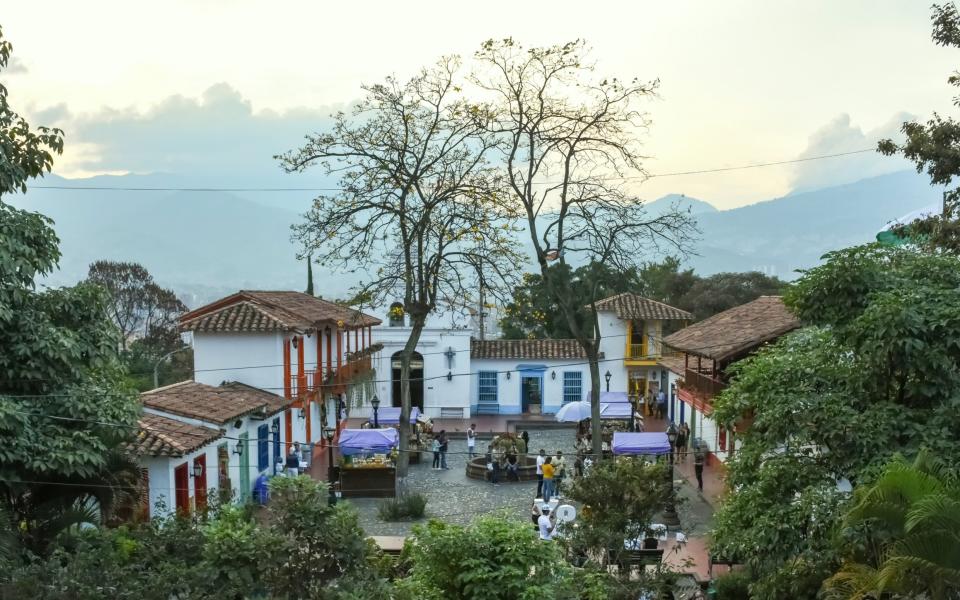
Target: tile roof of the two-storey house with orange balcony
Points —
{"points": [[250, 310]]}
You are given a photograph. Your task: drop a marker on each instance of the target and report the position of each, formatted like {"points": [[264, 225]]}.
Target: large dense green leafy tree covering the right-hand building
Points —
{"points": [[873, 373]]}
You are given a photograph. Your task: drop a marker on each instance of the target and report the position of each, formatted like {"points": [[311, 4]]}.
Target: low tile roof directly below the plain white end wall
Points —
{"points": [[218, 405]]}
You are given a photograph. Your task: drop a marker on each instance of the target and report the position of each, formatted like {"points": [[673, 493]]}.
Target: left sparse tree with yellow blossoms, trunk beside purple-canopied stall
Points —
{"points": [[418, 201]]}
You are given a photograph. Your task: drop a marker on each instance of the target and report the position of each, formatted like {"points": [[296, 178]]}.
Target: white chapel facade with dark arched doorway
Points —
{"points": [[438, 392]]}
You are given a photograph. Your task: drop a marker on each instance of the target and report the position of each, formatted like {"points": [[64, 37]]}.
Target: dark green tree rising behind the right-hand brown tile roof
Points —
{"points": [[708, 296]]}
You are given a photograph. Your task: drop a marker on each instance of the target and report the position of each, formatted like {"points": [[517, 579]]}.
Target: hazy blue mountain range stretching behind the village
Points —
{"points": [[205, 244]]}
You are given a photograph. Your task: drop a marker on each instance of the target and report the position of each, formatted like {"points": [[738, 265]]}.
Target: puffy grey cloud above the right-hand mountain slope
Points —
{"points": [[841, 135]]}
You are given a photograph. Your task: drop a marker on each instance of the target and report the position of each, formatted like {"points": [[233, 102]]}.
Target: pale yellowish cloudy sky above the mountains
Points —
{"points": [[217, 87]]}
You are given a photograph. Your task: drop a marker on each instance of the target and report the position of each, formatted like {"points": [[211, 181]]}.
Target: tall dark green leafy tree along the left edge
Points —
{"points": [[59, 373]]}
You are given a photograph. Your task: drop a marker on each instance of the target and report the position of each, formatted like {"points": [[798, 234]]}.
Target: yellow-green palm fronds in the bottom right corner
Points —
{"points": [[910, 517]]}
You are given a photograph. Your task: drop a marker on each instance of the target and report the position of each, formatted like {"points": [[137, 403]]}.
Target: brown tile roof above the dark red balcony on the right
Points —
{"points": [[736, 331]]}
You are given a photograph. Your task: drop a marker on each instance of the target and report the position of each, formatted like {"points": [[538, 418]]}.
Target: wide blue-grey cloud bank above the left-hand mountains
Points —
{"points": [[217, 135]]}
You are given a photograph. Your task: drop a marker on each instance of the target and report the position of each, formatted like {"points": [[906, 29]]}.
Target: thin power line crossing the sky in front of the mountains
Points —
{"points": [[103, 188]]}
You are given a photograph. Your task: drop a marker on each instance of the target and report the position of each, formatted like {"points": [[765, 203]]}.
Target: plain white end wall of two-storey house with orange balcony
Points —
{"points": [[252, 358]]}
